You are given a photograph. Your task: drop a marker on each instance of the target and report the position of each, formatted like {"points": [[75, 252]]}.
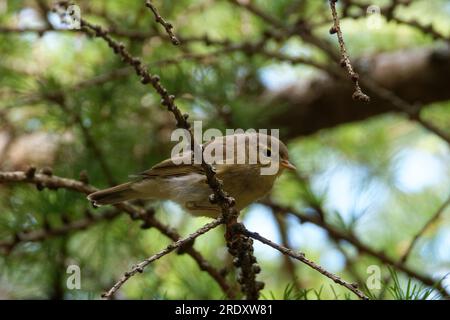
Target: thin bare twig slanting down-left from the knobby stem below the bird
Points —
{"points": [[139, 268]]}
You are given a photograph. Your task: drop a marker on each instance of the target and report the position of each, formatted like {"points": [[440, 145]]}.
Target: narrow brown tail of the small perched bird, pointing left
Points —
{"points": [[120, 193]]}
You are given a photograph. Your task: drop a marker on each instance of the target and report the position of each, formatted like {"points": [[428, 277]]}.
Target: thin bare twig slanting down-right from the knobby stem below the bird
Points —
{"points": [[301, 257]]}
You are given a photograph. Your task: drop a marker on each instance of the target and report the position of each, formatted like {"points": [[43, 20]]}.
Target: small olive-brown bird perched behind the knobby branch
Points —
{"points": [[186, 183]]}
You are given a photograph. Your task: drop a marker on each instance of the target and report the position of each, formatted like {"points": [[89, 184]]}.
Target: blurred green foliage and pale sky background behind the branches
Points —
{"points": [[380, 179]]}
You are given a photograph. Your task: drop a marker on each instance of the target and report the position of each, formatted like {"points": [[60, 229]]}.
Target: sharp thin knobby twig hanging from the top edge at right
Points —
{"points": [[345, 60]]}
